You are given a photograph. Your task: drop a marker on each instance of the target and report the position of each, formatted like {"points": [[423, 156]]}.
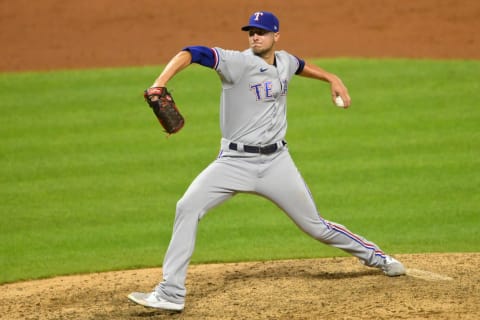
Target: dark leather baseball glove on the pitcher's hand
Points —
{"points": [[163, 105]]}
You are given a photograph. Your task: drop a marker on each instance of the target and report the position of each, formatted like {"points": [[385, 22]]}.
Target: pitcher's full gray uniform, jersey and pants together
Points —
{"points": [[253, 159]]}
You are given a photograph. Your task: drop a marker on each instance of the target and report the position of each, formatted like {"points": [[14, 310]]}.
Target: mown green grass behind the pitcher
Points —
{"points": [[88, 181]]}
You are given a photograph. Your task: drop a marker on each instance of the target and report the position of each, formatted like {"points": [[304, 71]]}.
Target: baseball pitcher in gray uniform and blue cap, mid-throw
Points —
{"points": [[254, 154]]}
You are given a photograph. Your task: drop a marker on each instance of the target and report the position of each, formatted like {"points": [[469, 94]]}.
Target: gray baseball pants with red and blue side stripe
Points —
{"points": [[274, 177]]}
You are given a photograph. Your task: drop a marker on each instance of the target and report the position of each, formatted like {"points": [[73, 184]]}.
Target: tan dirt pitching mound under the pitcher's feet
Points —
{"points": [[438, 286]]}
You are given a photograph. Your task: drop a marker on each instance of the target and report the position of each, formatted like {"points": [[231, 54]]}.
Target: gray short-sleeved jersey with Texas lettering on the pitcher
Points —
{"points": [[253, 102]]}
